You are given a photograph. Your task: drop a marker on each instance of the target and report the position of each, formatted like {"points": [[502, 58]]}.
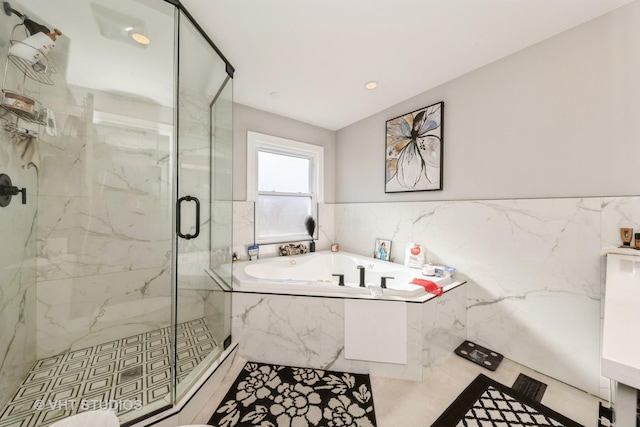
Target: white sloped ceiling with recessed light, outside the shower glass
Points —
{"points": [[309, 59]]}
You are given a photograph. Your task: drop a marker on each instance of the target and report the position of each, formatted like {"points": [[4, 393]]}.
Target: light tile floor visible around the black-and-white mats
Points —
{"points": [[419, 403]]}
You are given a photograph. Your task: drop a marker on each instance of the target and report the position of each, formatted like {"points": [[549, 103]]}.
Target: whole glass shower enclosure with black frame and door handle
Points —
{"points": [[115, 208]]}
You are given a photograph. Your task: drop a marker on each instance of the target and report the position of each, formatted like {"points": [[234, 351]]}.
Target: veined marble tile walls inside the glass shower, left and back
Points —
{"points": [[89, 258]]}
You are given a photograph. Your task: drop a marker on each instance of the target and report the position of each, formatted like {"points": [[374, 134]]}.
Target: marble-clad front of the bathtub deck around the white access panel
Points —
{"points": [[310, 331]]}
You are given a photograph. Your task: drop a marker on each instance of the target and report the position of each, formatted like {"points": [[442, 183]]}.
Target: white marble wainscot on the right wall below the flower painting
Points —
{"points": [[533, 267]]}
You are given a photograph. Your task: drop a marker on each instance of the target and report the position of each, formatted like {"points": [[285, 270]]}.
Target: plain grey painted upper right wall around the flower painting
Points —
{"points": [[559, 119]]}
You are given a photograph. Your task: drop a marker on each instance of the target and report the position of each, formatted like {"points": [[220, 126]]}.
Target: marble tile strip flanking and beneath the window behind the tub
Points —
{"points": [[244, 230]]}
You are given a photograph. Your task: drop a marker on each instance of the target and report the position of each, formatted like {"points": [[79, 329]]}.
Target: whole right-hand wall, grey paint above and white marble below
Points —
{"points": [[542, 130]]}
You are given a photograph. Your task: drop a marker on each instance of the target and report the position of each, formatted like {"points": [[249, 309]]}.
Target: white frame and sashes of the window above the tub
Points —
{"points": [[257, 142]]}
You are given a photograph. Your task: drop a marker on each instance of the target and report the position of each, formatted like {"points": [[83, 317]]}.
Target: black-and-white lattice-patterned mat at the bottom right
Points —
{"points": [[487, 403]]}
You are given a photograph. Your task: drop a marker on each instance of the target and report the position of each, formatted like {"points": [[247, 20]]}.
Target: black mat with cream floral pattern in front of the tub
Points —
{"points": [[281, 396]]}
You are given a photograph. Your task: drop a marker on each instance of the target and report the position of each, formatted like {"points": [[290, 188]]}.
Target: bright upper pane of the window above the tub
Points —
{"points": [[282, 173]]}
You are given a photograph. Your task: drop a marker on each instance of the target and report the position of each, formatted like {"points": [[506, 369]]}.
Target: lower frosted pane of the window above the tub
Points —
{"points": [[282, 217]]}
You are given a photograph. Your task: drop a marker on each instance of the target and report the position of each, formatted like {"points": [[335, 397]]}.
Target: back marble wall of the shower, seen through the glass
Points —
{"points": [[104, 231]]}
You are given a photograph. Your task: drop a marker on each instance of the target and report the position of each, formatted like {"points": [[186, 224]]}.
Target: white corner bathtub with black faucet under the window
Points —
{"points": [[312, 274]]}
